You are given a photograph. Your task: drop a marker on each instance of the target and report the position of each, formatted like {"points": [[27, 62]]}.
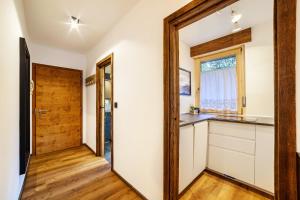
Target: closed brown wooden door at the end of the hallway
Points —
{"points": [[58, 108]]}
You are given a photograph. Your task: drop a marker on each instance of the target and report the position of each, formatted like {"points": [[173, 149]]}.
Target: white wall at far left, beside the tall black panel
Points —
{"points": [[12, 21]]}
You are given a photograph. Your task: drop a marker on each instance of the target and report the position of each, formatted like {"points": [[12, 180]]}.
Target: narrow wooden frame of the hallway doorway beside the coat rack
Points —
{"points": [[109, 60]]}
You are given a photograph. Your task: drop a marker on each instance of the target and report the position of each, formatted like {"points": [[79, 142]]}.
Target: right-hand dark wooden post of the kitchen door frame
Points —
{"points": [[285, 99]]}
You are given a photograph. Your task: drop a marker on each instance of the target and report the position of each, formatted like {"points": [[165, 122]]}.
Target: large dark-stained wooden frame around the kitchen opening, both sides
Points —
{"points": [[285, 98]]}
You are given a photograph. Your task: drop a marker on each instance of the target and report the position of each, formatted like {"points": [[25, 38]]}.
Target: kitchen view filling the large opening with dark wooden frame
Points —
{"points": [[226, 82]]}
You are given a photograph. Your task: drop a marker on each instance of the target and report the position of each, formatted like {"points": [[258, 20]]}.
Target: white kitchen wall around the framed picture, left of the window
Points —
{"points": [[186, 62]]}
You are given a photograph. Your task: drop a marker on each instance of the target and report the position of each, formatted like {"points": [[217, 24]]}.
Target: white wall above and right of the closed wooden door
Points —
{"points": [[57, 57]]}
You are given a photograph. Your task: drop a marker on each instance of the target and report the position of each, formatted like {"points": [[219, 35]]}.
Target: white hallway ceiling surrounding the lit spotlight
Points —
{"points": [[47, 21]]}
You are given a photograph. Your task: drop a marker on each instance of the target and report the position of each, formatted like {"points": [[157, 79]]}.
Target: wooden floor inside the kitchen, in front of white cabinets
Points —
{"points": [[210, 187]]}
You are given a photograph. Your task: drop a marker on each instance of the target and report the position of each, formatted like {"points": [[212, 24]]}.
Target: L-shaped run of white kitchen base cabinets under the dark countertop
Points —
{"points": [[242, 151]]}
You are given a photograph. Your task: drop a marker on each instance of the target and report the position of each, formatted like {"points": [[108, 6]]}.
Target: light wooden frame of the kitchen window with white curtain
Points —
{"points": [[239, 52]]}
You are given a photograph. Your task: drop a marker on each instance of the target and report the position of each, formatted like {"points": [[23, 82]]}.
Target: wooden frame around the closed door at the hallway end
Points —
{"points": [[33, 103]]}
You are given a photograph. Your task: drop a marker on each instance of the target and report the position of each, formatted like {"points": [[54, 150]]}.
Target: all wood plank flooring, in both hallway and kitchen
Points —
{"points": [[78, 174]]}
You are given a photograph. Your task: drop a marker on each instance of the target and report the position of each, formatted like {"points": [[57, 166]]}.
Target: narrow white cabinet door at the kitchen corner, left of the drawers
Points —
{"points": [[200, 147]]}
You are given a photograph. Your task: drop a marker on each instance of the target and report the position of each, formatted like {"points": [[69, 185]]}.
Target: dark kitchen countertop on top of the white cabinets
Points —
{"points": [[188, 119]]}
